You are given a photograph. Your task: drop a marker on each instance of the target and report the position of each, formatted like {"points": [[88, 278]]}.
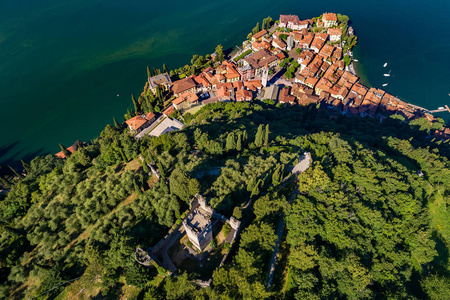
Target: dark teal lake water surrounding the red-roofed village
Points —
{"points": [[63, 62]]}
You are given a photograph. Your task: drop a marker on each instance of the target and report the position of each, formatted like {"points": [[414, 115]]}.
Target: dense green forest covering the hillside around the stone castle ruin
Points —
{"points": [[364, 224]]}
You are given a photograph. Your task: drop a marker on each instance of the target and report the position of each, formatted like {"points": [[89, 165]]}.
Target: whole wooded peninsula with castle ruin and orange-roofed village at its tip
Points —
{"points": [[272, 173]]}
